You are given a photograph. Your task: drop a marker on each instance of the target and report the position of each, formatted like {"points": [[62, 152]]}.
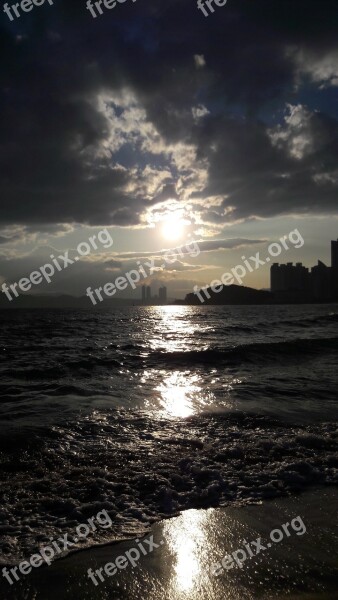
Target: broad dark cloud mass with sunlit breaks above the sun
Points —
{"points": [[144, 109]]}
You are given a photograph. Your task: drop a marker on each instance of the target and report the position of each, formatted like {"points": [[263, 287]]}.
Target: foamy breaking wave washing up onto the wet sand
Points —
{"points": [[142, 469]]}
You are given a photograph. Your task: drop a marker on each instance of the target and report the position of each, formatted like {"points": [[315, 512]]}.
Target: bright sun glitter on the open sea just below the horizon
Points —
{"points": [[183, 387]]}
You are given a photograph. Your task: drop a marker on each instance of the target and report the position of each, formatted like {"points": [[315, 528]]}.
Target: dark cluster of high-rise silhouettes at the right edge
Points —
{"points": [[297, 283]]}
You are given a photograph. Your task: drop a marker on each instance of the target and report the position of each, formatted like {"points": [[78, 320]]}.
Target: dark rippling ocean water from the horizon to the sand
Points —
{"points": [[147, 411]]}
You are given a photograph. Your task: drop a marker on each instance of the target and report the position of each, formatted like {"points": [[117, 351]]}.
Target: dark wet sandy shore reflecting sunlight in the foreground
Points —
{"points": [[301, 567]]}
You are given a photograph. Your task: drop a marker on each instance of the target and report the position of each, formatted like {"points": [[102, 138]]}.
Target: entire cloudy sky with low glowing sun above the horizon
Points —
{"points": [[166, 127]]}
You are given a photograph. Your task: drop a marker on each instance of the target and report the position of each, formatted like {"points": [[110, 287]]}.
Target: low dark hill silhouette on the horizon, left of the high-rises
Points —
{"points": [[230, 294]]}
